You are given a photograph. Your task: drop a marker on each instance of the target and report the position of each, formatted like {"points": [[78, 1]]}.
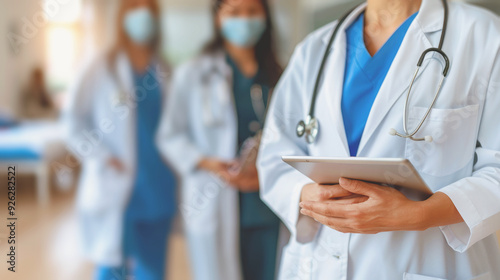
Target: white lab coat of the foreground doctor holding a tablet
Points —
{"points": [[467, 110]]}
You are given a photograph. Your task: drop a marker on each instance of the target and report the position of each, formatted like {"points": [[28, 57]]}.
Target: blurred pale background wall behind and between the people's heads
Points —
{"points": [[61, 34]]}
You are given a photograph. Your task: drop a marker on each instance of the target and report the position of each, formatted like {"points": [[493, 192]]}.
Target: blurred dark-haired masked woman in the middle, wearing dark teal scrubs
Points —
{"points": [[212, 130]]}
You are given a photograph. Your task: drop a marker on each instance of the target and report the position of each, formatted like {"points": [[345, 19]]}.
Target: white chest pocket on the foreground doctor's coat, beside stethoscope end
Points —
{"points": [[454, 133]]}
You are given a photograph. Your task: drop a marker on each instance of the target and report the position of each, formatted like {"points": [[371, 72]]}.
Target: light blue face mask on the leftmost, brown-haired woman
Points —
{"points": [[140, 26]]}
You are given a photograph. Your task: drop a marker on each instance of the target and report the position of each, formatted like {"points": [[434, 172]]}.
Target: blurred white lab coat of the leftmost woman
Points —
{"points": [[101, 118]]}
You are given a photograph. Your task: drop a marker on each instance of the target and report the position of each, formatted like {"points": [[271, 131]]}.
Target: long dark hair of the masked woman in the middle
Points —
{"points": [[265, 52]]}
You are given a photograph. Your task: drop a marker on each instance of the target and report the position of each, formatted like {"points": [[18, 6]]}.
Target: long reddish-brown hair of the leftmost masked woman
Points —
{"points": [[122, 39]]}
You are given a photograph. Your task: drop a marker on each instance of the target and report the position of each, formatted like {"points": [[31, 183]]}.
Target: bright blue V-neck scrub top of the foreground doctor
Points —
{"points": [[364, 76]]}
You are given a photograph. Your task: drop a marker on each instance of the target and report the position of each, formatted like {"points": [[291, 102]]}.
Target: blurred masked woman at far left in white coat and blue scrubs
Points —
{"points": [[126, 200]]}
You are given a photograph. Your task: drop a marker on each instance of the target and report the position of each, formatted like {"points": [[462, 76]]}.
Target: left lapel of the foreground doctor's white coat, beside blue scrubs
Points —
{"points": [[333, 79]]}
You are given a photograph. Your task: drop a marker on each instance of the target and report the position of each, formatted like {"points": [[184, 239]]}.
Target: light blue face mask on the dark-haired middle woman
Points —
{"points": [[243, 32]]}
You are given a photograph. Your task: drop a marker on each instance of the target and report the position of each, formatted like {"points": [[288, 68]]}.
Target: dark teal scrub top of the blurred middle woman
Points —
{"points": [[253, 212]]}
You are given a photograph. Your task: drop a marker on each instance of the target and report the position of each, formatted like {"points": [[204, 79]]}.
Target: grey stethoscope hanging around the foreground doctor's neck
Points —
{"points": [[310, 127]]}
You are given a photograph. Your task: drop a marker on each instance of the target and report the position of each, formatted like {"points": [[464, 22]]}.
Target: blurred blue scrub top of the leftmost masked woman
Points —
{"points": [[154, 194]]}
